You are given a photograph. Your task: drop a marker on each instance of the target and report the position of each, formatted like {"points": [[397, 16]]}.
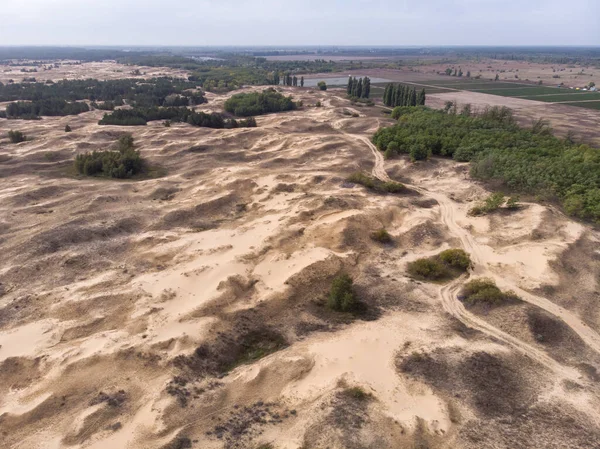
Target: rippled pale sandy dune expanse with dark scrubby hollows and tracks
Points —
{"points": [[131, 311]]}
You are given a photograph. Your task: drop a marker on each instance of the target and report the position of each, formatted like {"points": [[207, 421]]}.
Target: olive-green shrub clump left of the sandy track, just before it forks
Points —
{"points": [[448, 264]]}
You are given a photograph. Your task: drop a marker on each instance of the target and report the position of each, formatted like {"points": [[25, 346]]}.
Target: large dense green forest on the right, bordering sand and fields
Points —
{"points": [[525, 160]]}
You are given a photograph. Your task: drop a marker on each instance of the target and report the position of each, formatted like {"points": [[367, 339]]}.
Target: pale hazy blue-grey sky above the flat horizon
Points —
{"points": [[309, 22]]}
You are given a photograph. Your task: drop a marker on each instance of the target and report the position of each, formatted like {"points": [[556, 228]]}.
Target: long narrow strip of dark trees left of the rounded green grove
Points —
{"points": [[141, 116]]}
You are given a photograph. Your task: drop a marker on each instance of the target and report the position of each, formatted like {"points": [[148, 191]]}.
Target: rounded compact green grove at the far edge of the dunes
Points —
{"points": [[257, 103]]}
